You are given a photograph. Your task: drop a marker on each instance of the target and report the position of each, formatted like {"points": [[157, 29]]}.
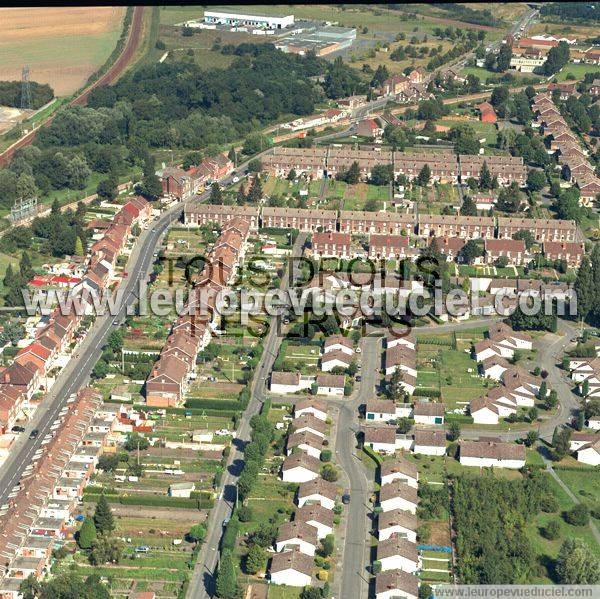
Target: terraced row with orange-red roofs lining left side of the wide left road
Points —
{"points": [[28, 376]]}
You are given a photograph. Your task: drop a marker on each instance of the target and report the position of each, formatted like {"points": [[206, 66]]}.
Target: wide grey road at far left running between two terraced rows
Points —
{"points": [[75, 375]]}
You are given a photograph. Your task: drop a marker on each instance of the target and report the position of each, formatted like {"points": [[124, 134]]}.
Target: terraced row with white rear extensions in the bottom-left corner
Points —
{"points": [[42, 512]]}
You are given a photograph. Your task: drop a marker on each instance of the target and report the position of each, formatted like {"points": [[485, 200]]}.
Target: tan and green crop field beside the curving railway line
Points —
{"points": [[61, 46]]}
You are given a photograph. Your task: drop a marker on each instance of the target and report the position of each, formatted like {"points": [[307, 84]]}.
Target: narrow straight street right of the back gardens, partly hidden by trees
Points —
{"points": [[202, 583]]}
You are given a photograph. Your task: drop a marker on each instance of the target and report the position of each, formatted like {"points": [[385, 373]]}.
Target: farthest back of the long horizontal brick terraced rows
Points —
{"points": [[445, 167]]}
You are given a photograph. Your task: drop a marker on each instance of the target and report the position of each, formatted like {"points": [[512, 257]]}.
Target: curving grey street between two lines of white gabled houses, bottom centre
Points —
{"points": [[356, 542]]}
